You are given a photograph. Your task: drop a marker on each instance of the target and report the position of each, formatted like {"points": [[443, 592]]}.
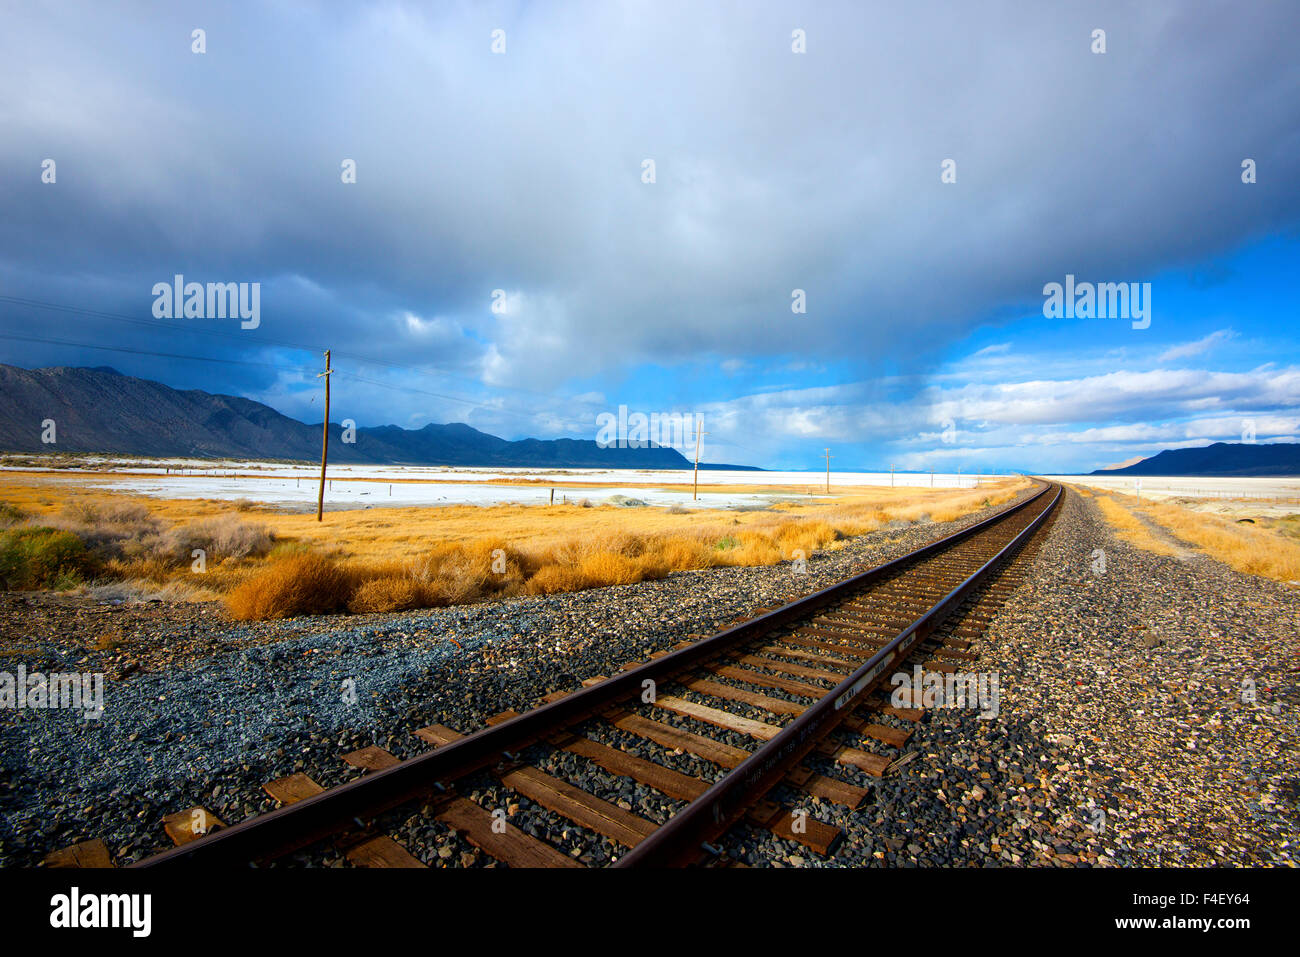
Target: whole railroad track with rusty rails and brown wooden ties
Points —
{"points": [[762, 717]]}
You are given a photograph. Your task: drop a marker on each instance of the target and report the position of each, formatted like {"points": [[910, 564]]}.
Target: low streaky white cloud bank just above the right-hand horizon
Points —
{"points": [[1054, 422]]}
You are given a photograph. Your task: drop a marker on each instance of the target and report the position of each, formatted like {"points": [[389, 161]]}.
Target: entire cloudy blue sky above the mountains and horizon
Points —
{"points": [[917, 176]]}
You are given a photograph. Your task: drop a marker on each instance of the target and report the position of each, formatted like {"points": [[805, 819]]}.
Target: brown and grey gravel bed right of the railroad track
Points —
{"points": [[1123, 737]]}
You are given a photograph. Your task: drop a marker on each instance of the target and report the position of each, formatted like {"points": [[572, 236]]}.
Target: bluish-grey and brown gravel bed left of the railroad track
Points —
{"points": [[201, 711]]}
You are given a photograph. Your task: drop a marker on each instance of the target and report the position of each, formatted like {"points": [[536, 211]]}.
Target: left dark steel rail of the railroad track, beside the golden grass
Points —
{"points": [[337, 809]]}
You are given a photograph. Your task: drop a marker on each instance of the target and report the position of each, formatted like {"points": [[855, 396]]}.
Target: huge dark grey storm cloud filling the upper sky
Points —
{"points": [[523, 172]]}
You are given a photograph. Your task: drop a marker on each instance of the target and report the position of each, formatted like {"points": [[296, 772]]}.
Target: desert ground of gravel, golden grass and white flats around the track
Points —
{"points": [[1124, 659]]}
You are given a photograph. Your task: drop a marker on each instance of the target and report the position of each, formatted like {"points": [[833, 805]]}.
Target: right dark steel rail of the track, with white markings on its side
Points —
{"points": [[713, 813]]}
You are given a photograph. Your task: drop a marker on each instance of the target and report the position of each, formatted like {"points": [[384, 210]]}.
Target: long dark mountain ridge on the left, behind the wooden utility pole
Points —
{"points": [[99, 410]]}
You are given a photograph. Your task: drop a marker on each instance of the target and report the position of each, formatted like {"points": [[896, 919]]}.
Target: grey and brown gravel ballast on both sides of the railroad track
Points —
{"points": [[201, 711]]}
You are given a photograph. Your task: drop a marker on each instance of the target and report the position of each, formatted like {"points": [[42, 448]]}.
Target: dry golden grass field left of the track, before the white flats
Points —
{"points": [[389, 560]]}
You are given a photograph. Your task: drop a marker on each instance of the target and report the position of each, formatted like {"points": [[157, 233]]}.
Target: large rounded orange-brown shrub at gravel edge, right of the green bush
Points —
{"points": [[304, 584]]}
